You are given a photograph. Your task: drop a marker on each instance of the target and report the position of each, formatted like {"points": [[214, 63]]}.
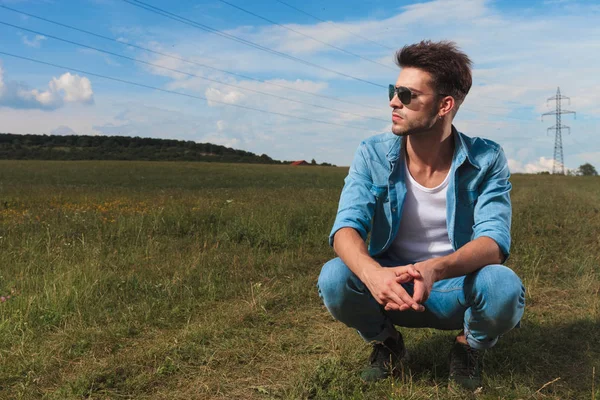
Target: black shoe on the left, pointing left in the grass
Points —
{"points": [[384, 359]]}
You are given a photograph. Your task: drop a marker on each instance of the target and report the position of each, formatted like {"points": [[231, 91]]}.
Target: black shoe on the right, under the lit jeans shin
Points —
{"points": [[466, 365]]}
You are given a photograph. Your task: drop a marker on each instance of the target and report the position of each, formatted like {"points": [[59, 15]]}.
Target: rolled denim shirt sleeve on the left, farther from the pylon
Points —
{"points": [[357, 202]]}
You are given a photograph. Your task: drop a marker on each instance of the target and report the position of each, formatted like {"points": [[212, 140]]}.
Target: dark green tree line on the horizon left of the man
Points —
{"points": [[82, 147]]}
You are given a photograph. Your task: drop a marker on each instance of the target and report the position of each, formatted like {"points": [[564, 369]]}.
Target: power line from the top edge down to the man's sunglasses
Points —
{"points": [[207, 28]]}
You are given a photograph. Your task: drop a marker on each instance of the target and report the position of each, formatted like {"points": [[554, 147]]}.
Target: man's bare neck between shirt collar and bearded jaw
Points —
{"points": [[430, 152]]}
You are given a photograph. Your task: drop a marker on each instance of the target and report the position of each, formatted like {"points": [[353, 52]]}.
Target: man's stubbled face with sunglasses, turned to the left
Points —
{"points": [[422, 112]]}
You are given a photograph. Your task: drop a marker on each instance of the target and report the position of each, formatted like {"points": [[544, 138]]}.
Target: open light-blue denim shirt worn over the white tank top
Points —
{"points": [[477, 202]]}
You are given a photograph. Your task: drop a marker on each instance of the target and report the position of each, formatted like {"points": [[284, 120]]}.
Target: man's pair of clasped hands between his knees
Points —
{"points": [[385, 284]]}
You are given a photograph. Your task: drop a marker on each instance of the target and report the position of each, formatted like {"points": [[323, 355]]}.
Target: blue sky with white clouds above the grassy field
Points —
{"points": [[522, 51]]}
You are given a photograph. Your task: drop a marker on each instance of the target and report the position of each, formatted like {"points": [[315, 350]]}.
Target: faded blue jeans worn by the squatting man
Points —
{"points": [[486, 304]]}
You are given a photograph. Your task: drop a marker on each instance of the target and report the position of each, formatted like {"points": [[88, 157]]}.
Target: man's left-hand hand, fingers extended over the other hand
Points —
{"points": [[384, 283]]}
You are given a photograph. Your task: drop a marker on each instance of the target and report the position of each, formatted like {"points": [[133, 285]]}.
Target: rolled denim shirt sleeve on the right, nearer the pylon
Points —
{"points": [[493, 211]]}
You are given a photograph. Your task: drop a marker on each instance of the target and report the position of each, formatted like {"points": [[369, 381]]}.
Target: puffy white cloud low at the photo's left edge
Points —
{"points": [[67, 88]]}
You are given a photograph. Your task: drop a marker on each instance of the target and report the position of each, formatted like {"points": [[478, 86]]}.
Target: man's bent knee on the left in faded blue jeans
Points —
{"points": [[337, 285]]}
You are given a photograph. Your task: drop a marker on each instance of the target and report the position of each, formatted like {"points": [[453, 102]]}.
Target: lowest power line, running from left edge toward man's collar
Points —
{"points": [[175, 92]]}
